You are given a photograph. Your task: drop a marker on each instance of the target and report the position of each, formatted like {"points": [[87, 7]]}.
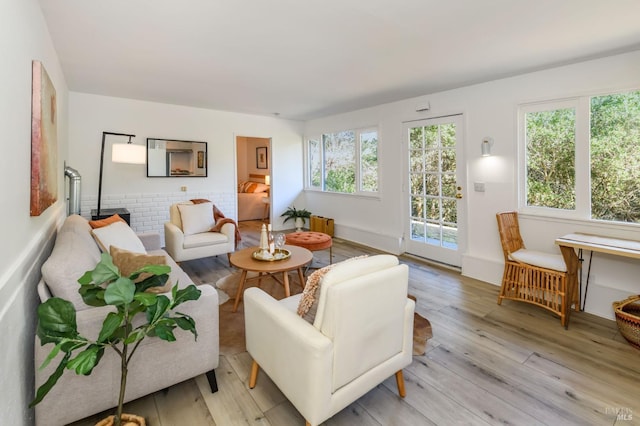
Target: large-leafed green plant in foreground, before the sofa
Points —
{"points": [[57, 321]]}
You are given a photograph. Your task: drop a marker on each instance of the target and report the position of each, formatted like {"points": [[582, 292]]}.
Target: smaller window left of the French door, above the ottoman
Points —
{"points": [[344, 162]]}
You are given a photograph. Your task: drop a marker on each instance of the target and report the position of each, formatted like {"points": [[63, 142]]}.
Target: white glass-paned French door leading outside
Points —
{"points": [[435, 176]]}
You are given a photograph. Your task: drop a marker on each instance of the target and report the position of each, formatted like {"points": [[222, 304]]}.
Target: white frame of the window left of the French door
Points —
{"points": [[357, 166]]}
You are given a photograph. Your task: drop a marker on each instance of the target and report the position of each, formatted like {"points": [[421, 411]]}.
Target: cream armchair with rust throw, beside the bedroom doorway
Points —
{"points": [[184, 244]]}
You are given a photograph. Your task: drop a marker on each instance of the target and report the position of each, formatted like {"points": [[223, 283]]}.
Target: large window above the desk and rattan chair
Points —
{"points": [[581, 157]]}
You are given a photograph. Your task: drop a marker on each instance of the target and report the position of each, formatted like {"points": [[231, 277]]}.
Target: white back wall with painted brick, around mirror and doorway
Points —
{"points": [[126, 185]]}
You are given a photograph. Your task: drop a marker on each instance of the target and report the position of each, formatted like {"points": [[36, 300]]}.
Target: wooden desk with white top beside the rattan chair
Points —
{"points": [[594, 243]]}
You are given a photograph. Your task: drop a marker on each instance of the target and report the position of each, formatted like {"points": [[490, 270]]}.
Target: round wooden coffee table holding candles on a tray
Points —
{"points": [[244, 260]]}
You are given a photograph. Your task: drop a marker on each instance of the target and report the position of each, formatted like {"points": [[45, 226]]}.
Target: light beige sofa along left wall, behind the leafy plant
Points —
{"points": [[156, 365]]}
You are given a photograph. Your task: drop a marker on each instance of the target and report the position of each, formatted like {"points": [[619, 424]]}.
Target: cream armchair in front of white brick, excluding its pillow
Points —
{"points": [[182, 246]]}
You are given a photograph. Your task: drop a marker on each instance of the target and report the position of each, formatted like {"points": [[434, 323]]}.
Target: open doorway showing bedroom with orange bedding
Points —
{"points": [[253, 176]]}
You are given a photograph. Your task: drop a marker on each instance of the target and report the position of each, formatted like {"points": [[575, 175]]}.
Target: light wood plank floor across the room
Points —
{"points": [[485, 365]]}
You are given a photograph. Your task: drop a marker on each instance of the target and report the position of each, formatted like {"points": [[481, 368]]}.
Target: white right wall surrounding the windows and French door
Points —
{"points": [[489, 110]]}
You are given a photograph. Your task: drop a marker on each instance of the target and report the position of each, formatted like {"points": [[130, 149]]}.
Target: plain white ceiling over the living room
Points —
{"points": [[304, 59]]}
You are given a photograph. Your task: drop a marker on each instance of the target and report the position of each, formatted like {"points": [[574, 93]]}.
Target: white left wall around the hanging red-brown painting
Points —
{"points": [[26, 240]]}
